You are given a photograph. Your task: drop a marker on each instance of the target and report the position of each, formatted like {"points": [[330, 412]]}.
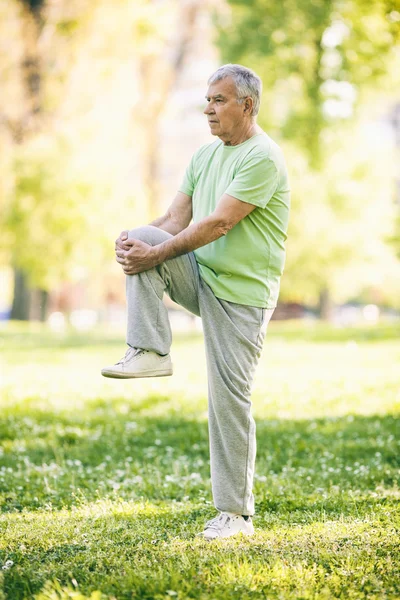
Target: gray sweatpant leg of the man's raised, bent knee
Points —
{"points": [[148, 324]]}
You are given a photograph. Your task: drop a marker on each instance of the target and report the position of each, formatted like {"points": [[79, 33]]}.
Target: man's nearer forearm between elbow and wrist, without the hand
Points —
{"points": [[196, 235]]}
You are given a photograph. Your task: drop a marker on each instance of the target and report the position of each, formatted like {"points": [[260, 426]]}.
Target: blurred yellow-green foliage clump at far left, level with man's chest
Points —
{"points": [[46, 216]]}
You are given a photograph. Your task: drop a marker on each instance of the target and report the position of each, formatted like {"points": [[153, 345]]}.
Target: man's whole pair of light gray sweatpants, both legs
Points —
{"points": [[233, 335]]}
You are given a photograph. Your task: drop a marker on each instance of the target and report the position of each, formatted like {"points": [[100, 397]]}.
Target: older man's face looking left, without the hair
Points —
{"points": [[225, 116]]}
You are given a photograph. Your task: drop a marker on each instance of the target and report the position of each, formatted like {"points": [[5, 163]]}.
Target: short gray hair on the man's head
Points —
{"points": [[246, 81]]}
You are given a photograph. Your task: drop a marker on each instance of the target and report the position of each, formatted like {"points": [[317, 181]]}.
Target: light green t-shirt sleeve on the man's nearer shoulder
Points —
{"points": [[256, 181]]}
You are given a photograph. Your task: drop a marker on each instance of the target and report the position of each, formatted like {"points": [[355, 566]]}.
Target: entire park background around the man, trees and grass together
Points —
{"points": [[103, 484]]}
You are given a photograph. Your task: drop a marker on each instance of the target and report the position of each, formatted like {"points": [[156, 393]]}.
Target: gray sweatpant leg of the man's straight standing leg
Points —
{"points": [[234, 337]]}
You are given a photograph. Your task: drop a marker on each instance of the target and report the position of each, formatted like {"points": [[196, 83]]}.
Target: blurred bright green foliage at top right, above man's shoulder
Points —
{"points": [[300, 47]]}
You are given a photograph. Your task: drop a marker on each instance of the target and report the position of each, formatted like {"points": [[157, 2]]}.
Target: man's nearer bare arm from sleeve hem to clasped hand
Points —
{"points": [[138, 256]]}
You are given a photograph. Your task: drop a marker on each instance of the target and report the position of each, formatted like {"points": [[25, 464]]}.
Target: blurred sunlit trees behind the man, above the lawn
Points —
{"points": [[100, 105]]}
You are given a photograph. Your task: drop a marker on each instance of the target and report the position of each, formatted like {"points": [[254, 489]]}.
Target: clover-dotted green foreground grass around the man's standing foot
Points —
{"points": [[138, 540]]}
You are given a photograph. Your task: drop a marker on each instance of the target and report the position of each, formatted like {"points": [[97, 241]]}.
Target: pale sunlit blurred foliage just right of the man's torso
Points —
{"points": [[341, 221]]}
